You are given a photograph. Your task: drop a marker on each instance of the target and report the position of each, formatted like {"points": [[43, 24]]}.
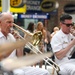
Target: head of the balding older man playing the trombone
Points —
{"points": [[6, 22]]}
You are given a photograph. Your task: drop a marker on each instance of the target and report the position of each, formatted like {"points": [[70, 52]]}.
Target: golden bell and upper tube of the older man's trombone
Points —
{"points": [[36, 37]]}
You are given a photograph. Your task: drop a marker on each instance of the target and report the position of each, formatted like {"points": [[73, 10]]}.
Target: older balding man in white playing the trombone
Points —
{"points": [[6, 23]]}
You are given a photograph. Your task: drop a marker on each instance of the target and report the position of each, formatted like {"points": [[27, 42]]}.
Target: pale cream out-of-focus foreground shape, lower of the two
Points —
{"points": [[14, 63]]}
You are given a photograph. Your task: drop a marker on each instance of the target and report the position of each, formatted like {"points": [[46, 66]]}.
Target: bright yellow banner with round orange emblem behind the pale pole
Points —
{"points": [[16, 6]]}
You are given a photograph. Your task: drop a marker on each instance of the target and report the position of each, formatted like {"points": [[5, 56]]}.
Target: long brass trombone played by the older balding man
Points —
{"points": [[36, 40]]}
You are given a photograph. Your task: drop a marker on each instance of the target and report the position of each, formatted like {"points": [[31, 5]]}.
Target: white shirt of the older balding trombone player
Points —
{"points": [[9, 38]]}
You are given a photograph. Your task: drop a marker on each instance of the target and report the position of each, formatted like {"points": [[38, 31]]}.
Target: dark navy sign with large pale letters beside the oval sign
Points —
{"points": [[33, 6]]}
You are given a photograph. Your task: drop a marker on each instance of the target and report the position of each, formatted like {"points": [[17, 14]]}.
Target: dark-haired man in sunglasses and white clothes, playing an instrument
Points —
{"points": [[62, 45]]}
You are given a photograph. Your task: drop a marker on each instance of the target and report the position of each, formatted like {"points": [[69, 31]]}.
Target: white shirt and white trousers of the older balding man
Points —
{"points": [[25, 70]]}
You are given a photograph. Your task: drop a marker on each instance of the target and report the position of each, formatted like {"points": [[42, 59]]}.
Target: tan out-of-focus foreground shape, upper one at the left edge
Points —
{"points": [[10, 46]]}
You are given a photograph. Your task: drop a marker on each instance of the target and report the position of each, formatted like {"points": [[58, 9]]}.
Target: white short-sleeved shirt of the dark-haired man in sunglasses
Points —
{"points": [[60, 41]]}
